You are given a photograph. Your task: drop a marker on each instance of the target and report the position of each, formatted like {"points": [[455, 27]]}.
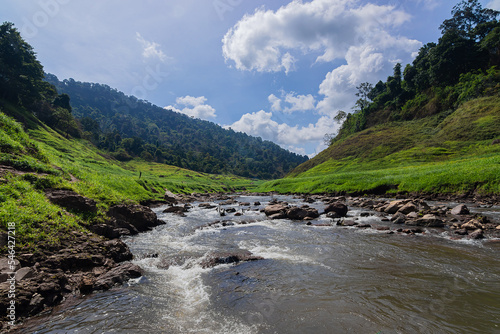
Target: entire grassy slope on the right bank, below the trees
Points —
{"points": [[450, 152]]}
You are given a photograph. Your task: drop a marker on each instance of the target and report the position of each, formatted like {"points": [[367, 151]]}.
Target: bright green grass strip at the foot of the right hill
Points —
{"points": [[480, 173]]}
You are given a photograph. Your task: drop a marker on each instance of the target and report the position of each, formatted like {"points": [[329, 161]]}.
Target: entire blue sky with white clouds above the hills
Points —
{"points": [[276, 69]]}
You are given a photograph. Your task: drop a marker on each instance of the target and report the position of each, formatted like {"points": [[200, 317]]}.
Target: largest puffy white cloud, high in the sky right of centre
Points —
{"points": [[359, 35]]}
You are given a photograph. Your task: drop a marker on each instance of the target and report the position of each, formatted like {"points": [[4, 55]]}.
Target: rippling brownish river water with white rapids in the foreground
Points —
{"points": [[313, 279]]}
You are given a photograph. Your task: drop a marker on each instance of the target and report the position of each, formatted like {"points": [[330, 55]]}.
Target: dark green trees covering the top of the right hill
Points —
{"points": [[463, 65]]}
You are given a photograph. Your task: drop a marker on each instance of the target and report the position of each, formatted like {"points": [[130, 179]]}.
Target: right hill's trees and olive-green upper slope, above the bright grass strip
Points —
{"points": [[419, 107]]}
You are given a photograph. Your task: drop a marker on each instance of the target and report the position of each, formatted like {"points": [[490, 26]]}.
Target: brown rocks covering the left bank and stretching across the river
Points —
{"points": [[94, 258]]}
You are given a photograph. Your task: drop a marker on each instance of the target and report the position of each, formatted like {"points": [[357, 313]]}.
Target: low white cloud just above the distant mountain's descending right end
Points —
{"points": [[261, 124]]}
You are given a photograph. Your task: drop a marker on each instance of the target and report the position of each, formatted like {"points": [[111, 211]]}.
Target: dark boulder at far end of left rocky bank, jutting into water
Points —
{"points": [[140, 217]]}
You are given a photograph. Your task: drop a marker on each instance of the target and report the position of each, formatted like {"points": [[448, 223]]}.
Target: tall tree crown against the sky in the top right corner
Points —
{"points": [[469, 20]]}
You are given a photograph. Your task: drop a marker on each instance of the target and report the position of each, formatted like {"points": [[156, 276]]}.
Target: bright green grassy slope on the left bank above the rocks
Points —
{"points": [[50, 160]]}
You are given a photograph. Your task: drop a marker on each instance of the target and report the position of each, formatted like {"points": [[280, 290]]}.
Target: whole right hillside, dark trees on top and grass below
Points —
{"points": [[434, 128]]}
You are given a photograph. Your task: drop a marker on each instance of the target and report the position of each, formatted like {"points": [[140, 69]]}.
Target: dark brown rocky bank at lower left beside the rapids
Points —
{"points": [[84, 261]]}
